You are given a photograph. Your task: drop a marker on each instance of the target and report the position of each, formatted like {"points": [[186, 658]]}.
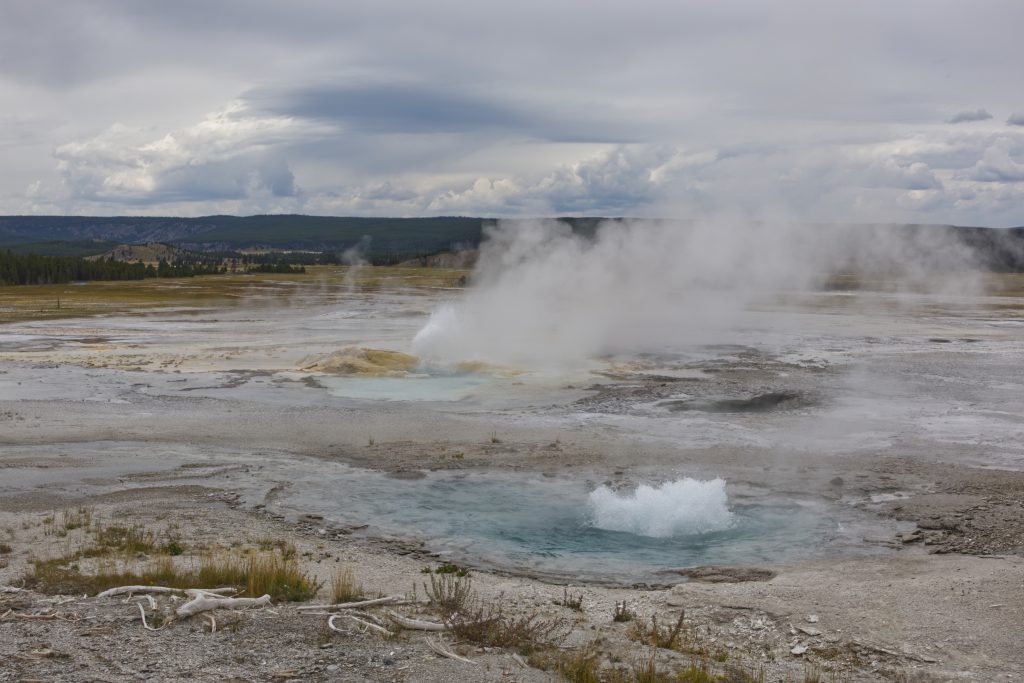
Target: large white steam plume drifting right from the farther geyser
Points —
{"points": [[545, 295]]}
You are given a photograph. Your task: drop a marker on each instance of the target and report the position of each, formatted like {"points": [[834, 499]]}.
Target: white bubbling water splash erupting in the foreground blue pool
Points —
{"points": [[675, 508]]}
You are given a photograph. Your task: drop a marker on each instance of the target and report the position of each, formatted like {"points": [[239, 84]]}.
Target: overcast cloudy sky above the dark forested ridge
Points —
{"points": [[879, 111]]}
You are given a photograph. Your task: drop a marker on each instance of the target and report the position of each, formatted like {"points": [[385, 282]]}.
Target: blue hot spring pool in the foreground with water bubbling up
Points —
{"points": [[560, 528]]}
